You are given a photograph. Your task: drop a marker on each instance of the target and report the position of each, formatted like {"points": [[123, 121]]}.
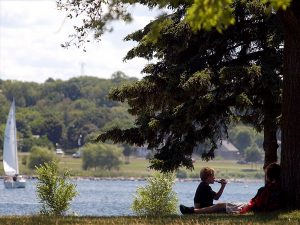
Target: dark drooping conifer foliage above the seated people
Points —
{"points": [[201, 84]]}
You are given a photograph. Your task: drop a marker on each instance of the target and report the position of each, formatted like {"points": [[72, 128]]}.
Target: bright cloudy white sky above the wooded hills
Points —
{"points": [[31, 34]]}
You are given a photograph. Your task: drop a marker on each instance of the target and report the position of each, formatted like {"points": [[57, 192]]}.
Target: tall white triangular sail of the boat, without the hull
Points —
{"points": [[10, 156]]}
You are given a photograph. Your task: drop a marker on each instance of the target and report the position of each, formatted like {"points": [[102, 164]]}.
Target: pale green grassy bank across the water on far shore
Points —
{"points": [[139, 167]]}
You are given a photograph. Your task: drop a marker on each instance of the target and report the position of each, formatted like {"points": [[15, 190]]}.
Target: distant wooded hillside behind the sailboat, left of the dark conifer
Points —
{"points": [[56, 112]]}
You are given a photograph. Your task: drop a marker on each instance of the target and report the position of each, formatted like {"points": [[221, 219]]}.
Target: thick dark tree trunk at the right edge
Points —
{"points": [[290, 154]]}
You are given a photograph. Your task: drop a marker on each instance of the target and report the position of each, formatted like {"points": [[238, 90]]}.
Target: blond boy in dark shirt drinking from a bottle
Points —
{"points": [[204, 195]]}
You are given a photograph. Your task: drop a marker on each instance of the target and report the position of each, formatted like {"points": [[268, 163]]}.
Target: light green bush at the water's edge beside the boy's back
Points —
{"points": [[157, 198]]}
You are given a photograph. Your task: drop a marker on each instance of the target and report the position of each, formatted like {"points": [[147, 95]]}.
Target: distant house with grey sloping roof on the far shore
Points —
{"points": [[227, 150]]}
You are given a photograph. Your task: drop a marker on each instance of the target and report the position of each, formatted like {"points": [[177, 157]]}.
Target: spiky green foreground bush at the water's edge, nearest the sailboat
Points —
{"points": [[55, 192]]}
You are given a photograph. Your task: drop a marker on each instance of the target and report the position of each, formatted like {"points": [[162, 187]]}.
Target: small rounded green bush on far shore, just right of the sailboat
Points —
{"points": [[39, 156]]}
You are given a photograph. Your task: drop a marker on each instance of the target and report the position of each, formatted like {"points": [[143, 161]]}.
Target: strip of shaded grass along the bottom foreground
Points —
{"points": [[291, 218]]}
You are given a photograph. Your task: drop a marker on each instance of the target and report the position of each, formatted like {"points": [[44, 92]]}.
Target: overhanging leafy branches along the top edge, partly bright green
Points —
{"points": [[200, 14]]}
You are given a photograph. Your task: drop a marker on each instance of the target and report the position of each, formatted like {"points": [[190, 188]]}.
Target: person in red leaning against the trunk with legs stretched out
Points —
{"points": [[268, 198]]}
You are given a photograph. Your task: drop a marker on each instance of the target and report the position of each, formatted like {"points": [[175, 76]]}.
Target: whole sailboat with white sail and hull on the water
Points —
{"points": [[10, 153]]}
